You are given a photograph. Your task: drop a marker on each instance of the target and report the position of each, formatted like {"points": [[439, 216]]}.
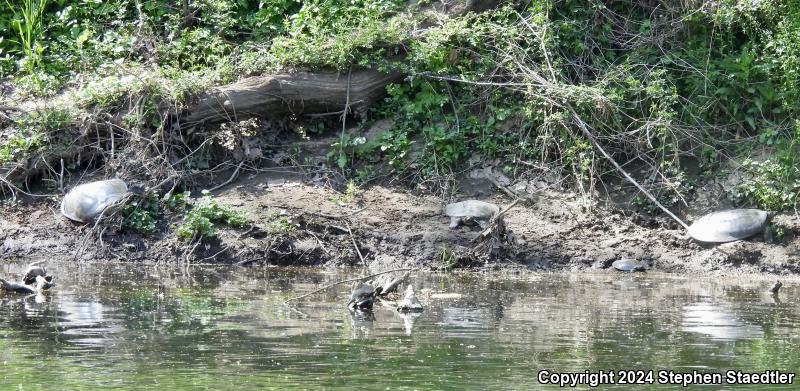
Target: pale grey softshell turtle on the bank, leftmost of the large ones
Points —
{"points": [[85, 202]]}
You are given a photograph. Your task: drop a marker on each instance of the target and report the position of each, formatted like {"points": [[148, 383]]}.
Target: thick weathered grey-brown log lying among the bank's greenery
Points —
{"points": [[296, 93]]}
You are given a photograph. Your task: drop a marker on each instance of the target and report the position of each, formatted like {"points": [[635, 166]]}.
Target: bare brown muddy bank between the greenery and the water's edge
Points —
{"points": [[391, 227]]}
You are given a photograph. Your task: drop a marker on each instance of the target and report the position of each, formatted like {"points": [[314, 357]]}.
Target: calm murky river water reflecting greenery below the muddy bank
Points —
{"points": [[130, 326]]}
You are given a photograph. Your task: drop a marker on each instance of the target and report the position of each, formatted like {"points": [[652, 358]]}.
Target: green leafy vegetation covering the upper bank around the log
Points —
{"points": [[663, 86]]}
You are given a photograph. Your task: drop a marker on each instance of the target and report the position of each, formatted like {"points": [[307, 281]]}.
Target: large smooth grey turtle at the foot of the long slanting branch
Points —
{"points": [[729, 225]]}
